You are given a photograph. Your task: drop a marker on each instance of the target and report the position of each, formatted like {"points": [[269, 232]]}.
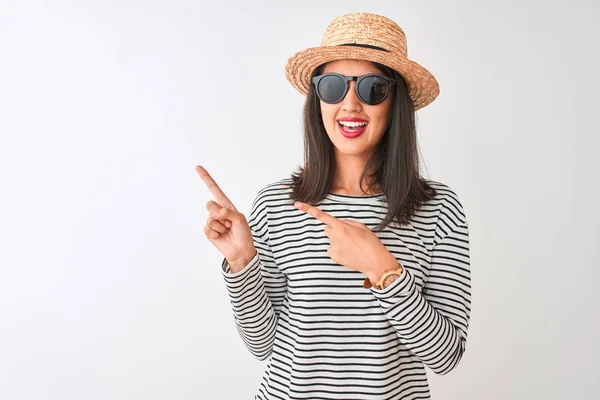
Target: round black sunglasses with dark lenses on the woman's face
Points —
{"points": [[371, 89]]}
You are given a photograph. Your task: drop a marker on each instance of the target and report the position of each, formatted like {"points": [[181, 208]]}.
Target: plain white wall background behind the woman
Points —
{"points": [[108, 287]]}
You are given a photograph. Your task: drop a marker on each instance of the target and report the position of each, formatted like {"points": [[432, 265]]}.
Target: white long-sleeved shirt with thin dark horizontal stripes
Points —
{"points": [[327, 337]]}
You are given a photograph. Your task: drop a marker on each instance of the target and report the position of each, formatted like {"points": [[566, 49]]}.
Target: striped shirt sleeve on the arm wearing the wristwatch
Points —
{"points": [[433, 323]]}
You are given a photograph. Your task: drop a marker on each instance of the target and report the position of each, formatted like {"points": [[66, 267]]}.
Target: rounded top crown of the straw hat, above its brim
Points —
{"points": [[366, 29]]}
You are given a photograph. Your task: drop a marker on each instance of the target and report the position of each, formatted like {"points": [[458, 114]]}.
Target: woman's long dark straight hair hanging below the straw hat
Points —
{"points": [[395, 161]]}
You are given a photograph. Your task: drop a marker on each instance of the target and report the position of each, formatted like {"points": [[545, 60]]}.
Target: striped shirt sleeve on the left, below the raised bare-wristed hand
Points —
{"points": [[258, 290]]}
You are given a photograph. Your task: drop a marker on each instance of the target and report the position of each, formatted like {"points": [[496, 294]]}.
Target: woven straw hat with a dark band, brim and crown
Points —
{"points": [[364, 36]]}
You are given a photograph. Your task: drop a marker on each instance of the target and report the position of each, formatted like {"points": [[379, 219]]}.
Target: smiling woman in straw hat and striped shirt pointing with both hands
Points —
{"points": [[350, 293]]}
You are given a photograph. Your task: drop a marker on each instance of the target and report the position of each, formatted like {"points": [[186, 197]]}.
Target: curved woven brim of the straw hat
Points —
{"points": [[422, 86]]}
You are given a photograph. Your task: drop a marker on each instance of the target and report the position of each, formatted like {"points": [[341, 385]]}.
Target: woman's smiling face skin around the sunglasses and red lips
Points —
{"points": [[376, 117]]}
